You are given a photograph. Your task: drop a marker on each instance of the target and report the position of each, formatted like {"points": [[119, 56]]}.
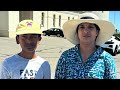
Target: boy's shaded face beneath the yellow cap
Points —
{"points": [[28, 42]]}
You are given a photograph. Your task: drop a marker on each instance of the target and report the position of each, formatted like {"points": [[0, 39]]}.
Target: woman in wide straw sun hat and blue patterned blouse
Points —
{"points": [[87, 60]]}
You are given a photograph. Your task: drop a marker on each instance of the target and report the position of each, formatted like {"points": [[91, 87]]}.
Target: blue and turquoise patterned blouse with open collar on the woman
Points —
{"points": [[100, 65]]}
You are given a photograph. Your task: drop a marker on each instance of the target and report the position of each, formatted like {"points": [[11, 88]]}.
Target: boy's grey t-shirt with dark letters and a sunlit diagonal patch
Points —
{"points": [[17, 67]]}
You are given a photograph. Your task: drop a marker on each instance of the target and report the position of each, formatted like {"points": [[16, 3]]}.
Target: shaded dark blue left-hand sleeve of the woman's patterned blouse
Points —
{"points": [[61, 68]]}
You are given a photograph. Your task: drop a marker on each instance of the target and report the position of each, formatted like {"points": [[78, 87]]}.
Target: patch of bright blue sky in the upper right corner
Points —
{"points": [[114, 17]]}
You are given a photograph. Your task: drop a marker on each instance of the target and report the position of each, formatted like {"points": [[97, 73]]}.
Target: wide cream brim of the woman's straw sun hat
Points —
{"points": [[107, 29]]}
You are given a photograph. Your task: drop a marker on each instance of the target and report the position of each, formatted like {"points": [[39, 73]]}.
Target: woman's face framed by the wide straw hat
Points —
{"points": [[87, 33]]}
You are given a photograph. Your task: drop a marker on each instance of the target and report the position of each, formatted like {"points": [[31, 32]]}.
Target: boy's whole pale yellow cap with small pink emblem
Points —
{"points": [[28, 27]]}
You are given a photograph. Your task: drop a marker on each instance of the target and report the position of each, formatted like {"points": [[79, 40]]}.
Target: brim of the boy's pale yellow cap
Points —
{"points": [[28, 31]]}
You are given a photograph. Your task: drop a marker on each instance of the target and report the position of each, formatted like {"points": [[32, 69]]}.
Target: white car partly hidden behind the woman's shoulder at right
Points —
{"points": [[112, 45]]}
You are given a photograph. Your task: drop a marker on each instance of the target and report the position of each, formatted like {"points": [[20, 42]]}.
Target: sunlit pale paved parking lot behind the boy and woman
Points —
{"points": [[50, 48]]}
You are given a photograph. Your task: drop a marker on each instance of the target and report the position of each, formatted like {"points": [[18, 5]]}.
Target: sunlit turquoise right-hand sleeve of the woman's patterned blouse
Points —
{"points": [[110, 67]]}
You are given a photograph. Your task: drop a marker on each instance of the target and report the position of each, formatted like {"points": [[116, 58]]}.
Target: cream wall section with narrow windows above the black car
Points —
{"points": [[48, 19]]}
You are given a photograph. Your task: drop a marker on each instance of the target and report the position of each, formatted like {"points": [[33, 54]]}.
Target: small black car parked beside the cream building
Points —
{"points": [[53, 31]]}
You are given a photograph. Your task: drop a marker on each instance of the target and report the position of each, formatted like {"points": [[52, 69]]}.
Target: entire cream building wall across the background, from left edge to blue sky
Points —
{"points": [[10, 19]]}
